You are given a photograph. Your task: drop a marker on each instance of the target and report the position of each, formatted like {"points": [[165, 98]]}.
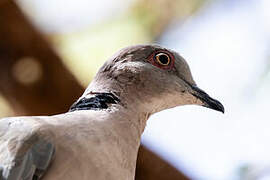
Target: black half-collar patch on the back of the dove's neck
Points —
{"points": [[98, 101]]}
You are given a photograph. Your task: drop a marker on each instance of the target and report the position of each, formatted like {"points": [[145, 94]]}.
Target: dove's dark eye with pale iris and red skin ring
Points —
{"points": [[162, 59]]}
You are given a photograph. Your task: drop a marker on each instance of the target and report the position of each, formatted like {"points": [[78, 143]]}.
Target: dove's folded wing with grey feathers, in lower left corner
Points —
{"points": [[24, 155]]}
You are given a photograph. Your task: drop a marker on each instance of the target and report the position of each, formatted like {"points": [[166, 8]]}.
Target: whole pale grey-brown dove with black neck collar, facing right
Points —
{"points": [[99, 137]]}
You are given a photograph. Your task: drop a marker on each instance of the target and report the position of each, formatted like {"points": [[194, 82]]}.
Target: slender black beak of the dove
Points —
{"points": [[206, 99]]}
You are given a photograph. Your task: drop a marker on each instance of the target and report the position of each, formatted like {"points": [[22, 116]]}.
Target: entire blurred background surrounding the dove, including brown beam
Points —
{"points": [[51, 49]]}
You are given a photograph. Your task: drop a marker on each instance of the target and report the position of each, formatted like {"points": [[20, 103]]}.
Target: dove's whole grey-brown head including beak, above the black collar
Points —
{"points": [[150, 77]]}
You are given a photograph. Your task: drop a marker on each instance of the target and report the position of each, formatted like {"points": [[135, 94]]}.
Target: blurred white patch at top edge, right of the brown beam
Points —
{"points": [[71, 15]]}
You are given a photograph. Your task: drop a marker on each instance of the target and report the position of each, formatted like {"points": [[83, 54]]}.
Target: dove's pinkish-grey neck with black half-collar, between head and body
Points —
{"points": [[116, 97]]}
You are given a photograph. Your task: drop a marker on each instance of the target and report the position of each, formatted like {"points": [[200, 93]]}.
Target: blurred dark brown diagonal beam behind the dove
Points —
{"points": [[36, 82]]}
